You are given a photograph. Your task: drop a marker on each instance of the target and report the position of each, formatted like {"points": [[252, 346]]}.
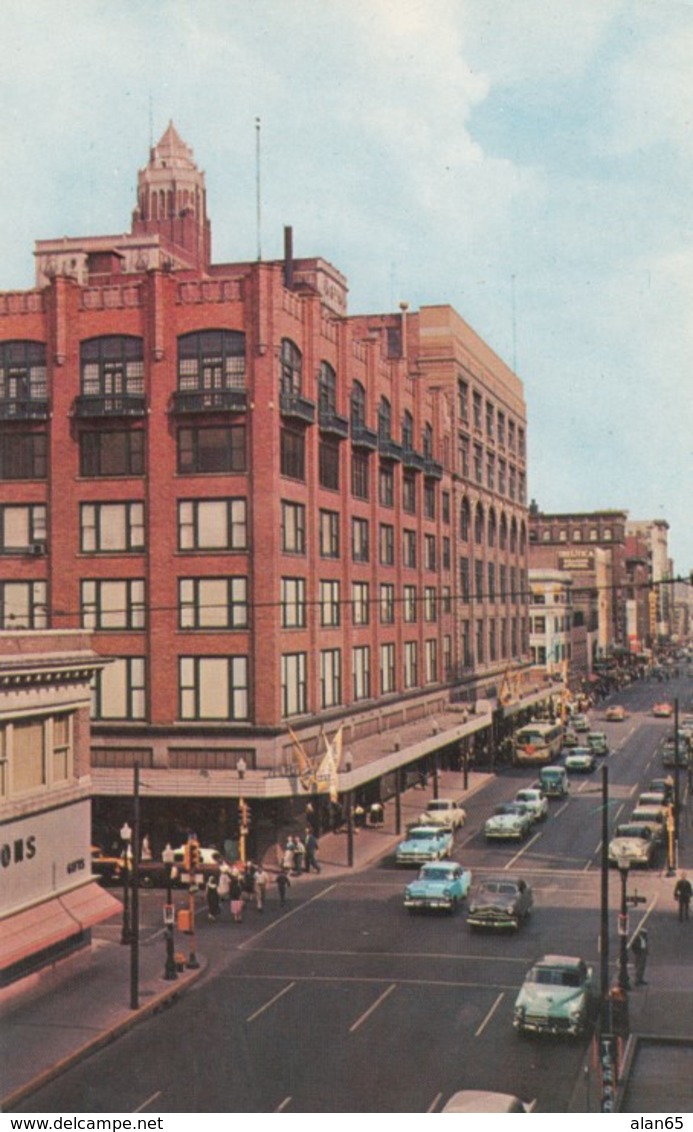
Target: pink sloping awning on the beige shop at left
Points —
{"points": [[54, 921]]}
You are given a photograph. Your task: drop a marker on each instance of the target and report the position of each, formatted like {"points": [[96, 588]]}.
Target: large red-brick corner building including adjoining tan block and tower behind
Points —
{"points": [[266, 511]]}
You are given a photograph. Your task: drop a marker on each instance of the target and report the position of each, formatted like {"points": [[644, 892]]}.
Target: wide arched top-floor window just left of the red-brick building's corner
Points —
{"points": [[211, 361]]}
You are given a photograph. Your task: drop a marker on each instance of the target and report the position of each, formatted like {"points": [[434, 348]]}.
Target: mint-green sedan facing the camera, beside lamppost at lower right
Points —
{"points": [[557, 997]]}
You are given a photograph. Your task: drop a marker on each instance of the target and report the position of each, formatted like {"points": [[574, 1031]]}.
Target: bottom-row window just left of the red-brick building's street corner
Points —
{"points": [[213, 688]]}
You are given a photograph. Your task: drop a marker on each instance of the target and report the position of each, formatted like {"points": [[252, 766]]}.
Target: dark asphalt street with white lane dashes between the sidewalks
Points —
{"points": [[345, 1002]]}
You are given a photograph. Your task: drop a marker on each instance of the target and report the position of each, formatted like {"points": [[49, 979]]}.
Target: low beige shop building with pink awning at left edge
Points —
{"points": [[50, 902]]}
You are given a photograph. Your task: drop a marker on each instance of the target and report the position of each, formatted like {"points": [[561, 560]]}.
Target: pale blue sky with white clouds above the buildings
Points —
{"points": [[528, 162]]}
